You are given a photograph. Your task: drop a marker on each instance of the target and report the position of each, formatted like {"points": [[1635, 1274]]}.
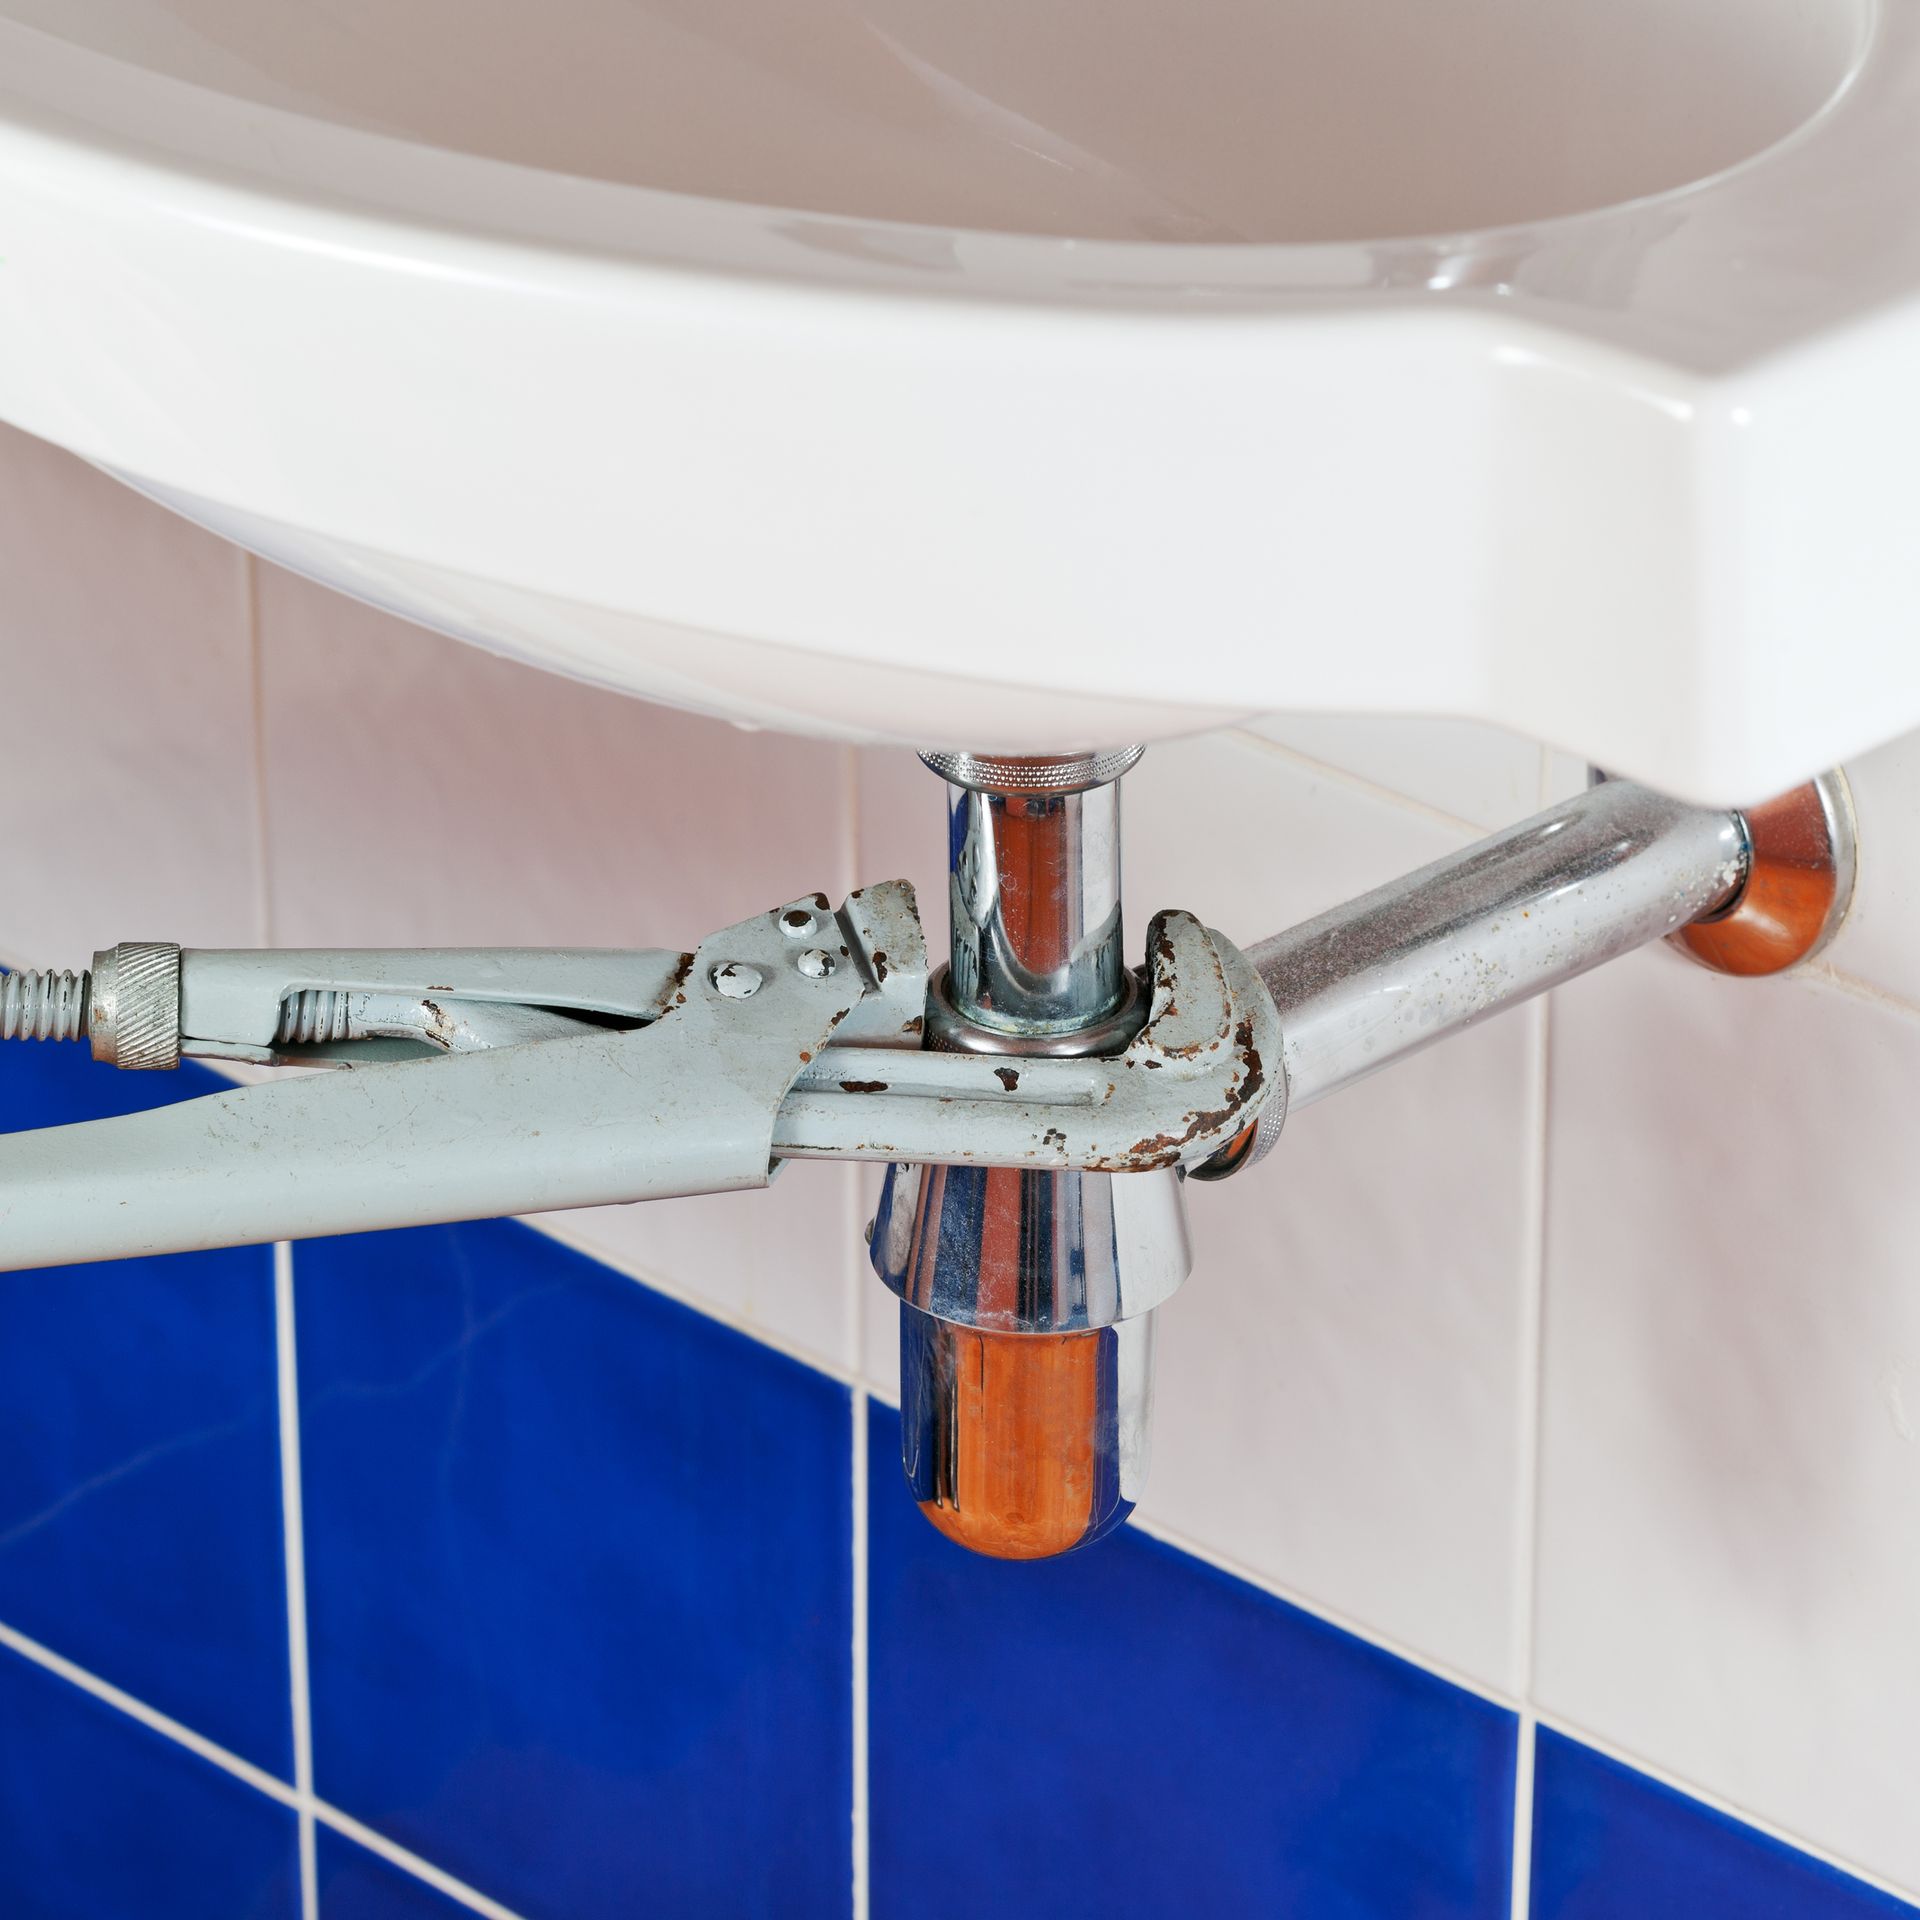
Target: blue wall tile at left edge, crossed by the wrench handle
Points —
{"points": [[139, 1452]]}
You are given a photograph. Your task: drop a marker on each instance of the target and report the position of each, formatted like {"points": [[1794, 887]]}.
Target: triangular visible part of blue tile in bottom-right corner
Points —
{"points": [[1614, 1846]]}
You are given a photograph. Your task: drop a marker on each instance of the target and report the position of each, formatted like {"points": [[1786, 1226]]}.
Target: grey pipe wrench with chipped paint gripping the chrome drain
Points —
{"points": [[790, 1036]]}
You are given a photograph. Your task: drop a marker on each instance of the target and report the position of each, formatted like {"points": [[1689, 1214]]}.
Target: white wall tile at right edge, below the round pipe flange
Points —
{"points": [[1731, 1443]]}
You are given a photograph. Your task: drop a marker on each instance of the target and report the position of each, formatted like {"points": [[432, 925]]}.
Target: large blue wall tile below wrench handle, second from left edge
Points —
{"points": [[579, 1575]]}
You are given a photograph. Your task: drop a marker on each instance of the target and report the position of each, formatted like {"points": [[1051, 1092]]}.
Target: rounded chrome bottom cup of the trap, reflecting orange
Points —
{"points": [[1022, 1447]]}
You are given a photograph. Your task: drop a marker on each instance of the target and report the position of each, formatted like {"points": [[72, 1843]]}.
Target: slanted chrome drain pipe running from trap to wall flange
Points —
{"points": [[1510, 917]]}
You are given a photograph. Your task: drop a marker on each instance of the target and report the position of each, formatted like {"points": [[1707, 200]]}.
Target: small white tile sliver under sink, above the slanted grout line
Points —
{"points": [[1476, 773]]}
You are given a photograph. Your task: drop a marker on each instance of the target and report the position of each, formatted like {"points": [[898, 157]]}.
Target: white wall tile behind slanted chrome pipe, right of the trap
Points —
{"points": [[1341, 1381]]}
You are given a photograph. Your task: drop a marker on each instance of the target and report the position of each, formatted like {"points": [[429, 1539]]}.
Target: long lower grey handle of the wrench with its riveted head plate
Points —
{"points": [[679, 1105]]}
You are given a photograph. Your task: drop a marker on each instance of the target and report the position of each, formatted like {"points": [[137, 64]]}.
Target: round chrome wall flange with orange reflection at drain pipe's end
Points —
{"points": [[1802, 859]]}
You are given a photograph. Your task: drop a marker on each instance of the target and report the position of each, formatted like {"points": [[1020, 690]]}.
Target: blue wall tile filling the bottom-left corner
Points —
{"points": [[103, 1819]]}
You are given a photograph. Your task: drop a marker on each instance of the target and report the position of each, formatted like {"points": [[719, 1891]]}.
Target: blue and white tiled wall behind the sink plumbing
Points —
{"points": [[1535, 1520]]}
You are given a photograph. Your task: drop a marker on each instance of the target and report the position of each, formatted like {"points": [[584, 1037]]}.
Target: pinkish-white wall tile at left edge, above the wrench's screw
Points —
{"points": [[126, 719]]}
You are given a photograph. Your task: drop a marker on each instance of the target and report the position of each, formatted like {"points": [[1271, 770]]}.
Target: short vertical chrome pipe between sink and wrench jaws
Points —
{"points": [[1036, 907]]}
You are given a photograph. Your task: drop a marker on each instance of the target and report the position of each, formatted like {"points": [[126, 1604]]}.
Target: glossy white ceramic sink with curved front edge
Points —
{"points": [[1026, 373]]}
